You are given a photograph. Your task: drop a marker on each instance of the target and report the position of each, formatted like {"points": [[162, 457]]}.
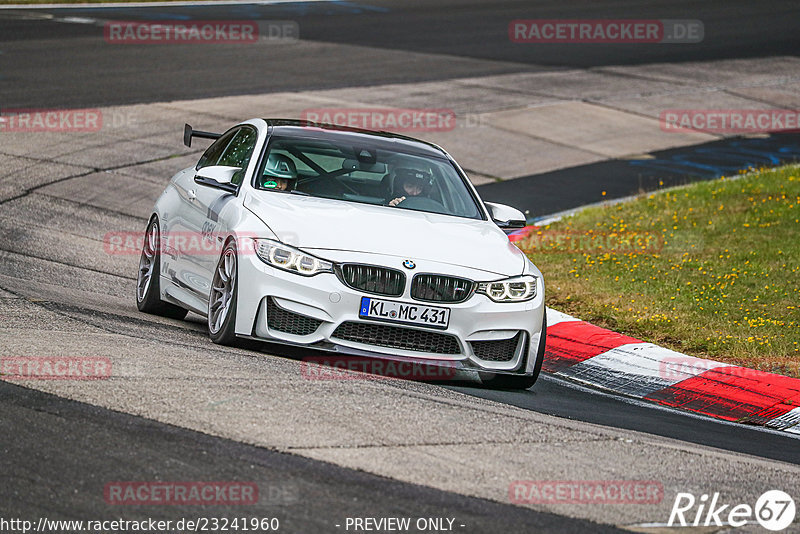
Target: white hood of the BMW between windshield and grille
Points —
{"points": [[324, 224]]}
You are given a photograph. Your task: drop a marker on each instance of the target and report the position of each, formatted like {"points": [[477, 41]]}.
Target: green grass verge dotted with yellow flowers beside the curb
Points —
{"points": [[710, 269]]}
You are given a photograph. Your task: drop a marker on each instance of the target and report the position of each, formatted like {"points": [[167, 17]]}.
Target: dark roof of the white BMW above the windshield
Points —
{"points": [[332, 132]]}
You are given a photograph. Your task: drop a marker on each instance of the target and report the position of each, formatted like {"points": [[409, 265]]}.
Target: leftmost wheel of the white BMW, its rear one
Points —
{"points": [[148, 292]]}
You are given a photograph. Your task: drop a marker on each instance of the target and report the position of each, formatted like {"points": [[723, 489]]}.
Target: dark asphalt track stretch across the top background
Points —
{"points": [[344, 44]]}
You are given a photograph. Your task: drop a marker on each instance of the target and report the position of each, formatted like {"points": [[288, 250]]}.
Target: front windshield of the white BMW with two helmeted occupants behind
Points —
{"points": [[342, 170]]}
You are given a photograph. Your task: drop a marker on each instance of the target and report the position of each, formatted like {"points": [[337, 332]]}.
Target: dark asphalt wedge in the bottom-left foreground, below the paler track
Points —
{"points": [[307, 496]]}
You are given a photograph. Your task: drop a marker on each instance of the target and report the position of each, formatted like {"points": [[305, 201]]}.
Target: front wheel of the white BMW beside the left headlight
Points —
{"points": [[223, 297]]}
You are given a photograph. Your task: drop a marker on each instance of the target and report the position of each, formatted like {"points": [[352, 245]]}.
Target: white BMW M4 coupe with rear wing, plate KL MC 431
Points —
{"points": [[366, 244]]}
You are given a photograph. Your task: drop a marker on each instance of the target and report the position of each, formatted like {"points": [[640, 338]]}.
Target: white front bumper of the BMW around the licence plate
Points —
{"points": [[482, 335]]}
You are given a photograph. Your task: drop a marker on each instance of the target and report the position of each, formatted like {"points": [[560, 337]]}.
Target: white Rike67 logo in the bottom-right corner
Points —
{"points": [[774, 510]]}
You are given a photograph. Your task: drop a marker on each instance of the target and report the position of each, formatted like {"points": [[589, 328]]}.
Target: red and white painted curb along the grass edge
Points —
{"points": [[608, 360]]}
